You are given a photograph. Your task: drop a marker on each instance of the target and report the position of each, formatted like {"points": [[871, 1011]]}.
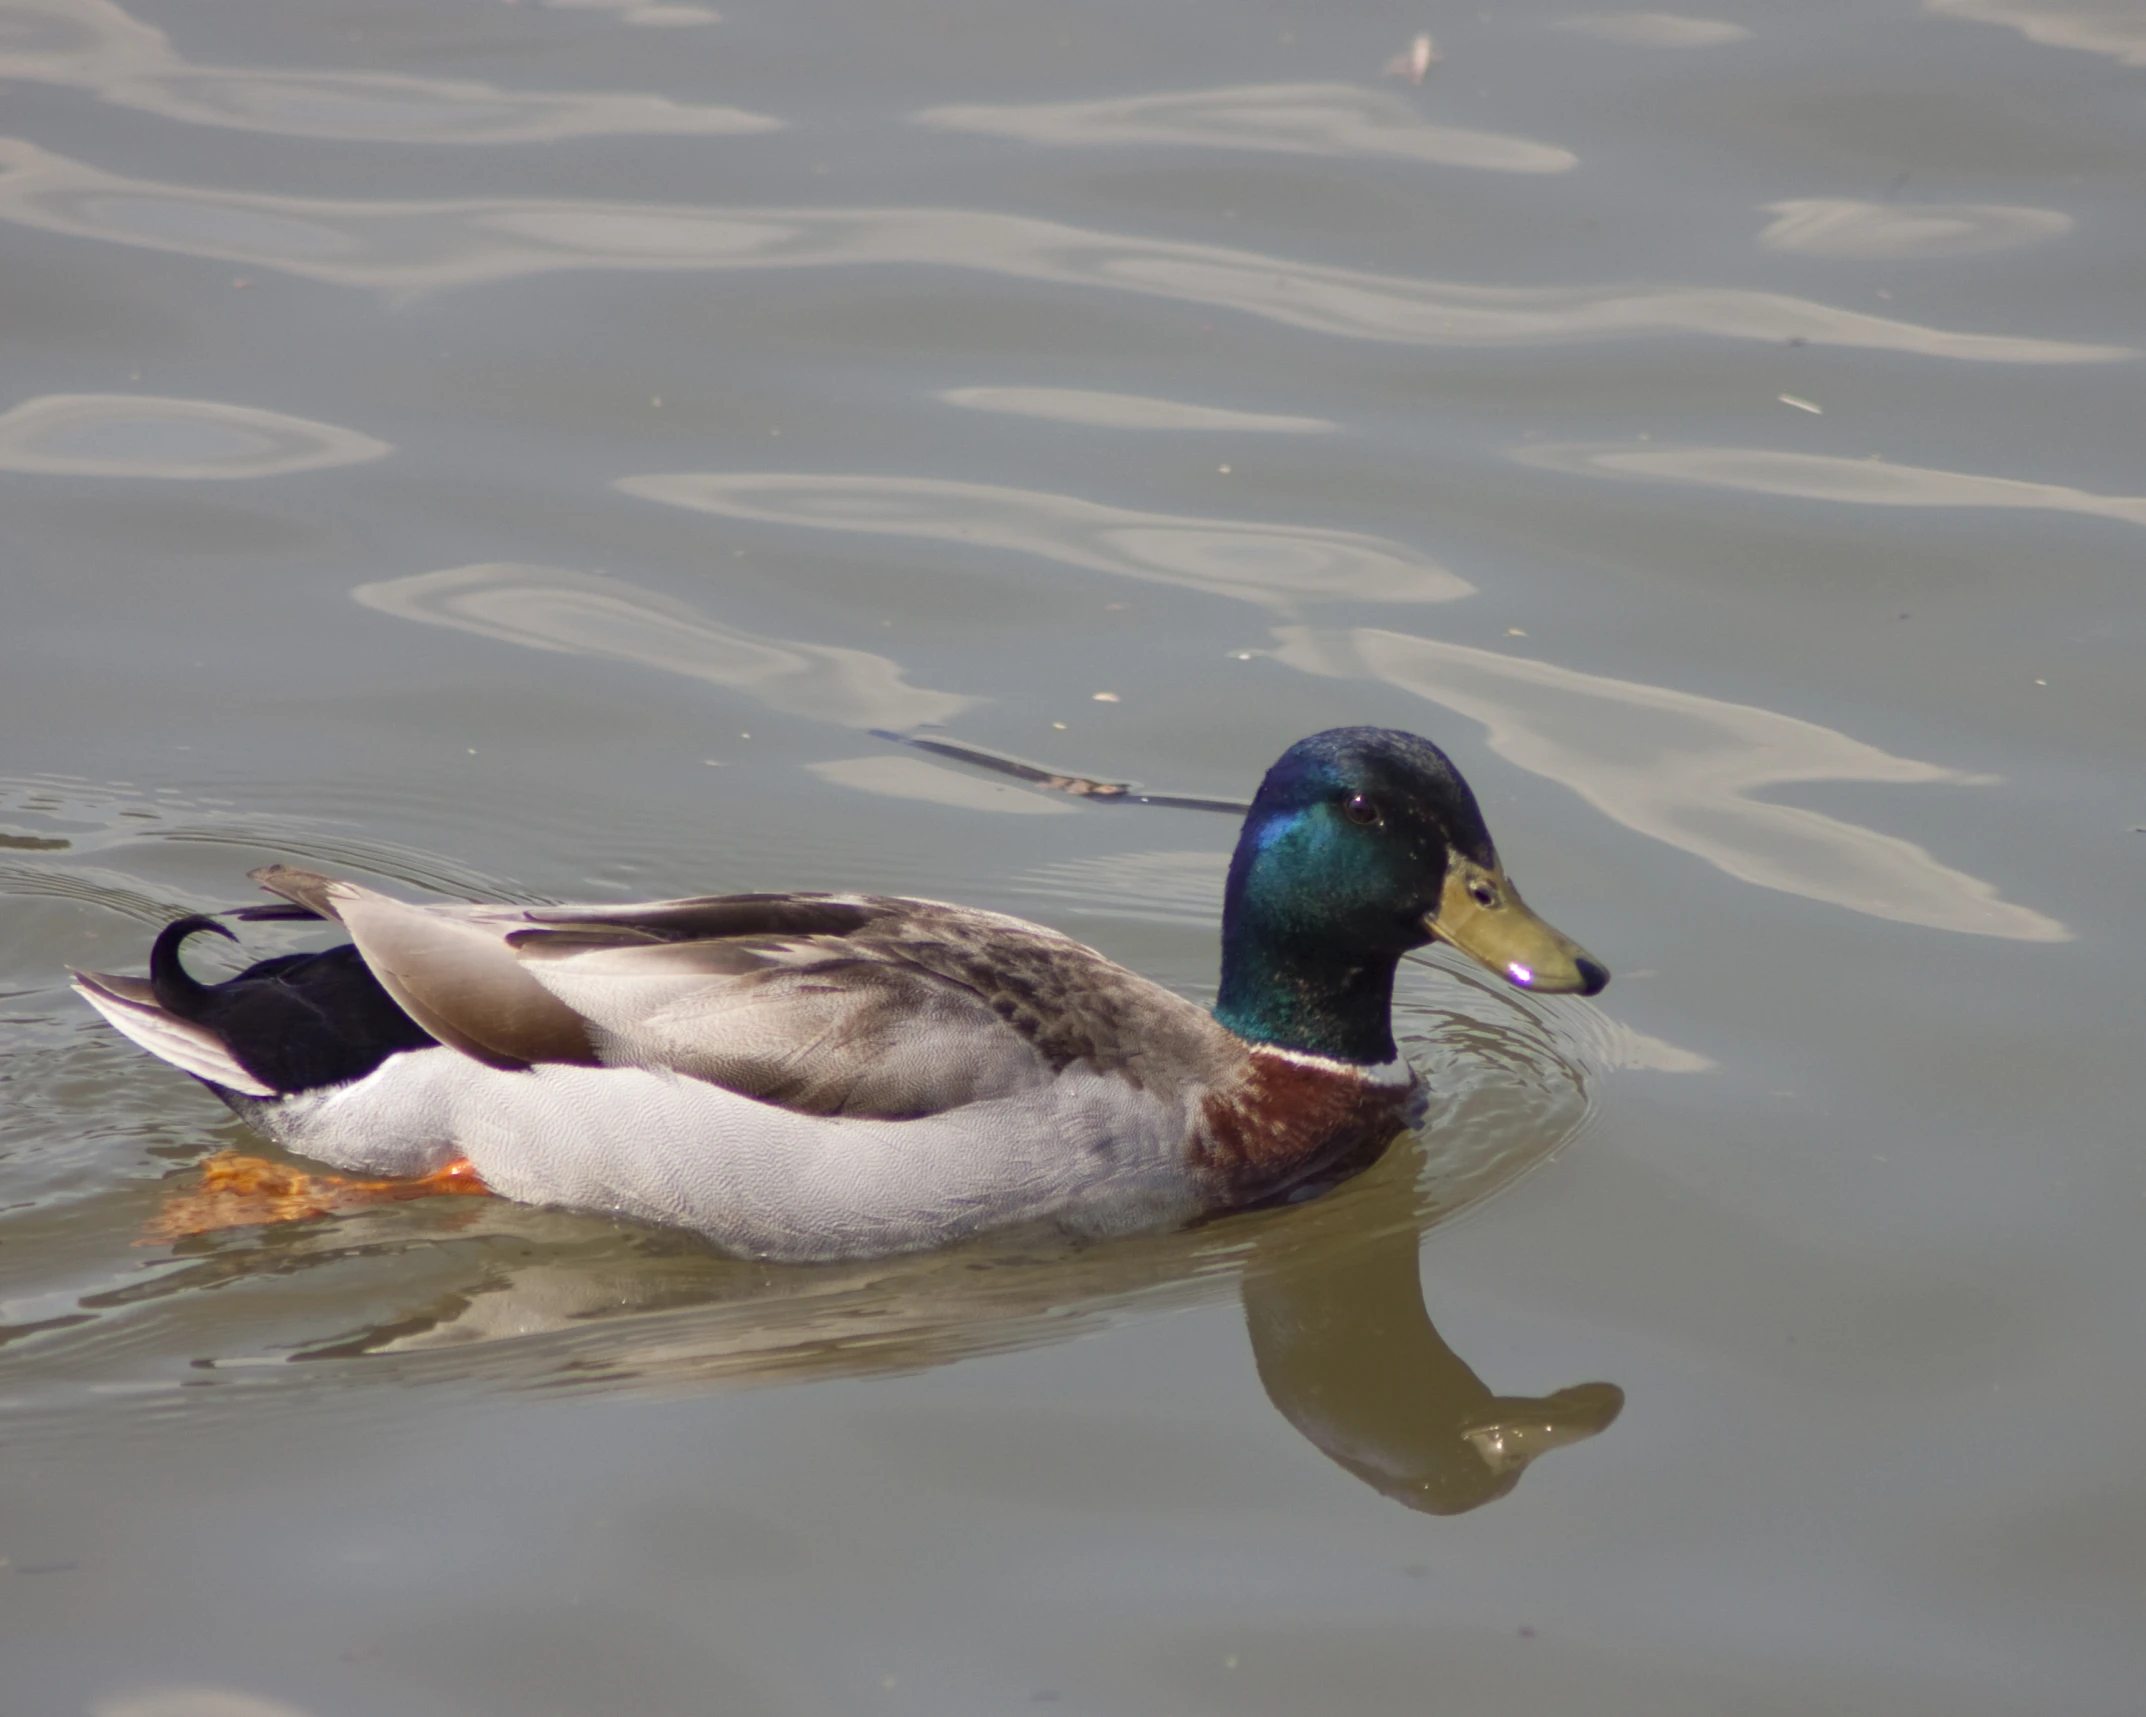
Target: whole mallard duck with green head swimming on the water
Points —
{"points": [[840, 1076]]}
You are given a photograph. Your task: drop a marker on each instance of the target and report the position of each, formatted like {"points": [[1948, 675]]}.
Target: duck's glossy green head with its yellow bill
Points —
{"points": [[1366, 845]]}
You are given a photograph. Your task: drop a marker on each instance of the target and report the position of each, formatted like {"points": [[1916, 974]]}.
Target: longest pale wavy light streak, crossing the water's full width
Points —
{"points": [[411, 248]]}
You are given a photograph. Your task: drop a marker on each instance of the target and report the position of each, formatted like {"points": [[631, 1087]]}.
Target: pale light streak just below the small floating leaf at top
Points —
{"points": [[1278, 119]]}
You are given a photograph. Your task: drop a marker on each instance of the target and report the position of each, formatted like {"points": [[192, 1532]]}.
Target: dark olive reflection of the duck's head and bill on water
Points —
{"points": [[1351, 1358]]}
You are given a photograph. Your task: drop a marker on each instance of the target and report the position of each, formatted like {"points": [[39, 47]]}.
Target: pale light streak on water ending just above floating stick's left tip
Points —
{"points": [[553, 608]]}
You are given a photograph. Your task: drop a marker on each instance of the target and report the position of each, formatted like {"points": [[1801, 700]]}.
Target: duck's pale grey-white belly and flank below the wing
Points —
{"points": [[759, 1179]]}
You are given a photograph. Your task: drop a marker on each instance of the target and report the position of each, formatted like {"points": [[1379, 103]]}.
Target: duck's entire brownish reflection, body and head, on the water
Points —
{"points": [[1332, 1297]]}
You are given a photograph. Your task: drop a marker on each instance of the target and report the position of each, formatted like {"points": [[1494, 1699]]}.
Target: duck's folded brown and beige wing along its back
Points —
{"points": [[821, 1003]]}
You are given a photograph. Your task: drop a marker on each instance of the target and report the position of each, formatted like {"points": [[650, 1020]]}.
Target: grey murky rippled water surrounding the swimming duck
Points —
{"points": [[529, 450]]}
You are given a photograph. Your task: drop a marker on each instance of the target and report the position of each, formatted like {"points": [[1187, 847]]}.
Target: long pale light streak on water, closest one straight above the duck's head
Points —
{"points": [[1256, 563]]}
